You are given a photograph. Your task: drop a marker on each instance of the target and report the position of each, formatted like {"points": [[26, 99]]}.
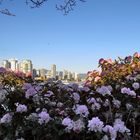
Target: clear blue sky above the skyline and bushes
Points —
{"points": [[95, 29]]}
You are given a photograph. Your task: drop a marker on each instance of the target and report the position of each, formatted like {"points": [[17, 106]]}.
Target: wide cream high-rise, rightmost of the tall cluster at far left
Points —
{"points": [[26, 66]]}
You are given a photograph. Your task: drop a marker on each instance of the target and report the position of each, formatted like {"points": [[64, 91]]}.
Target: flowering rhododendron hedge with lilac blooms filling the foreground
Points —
{"points": [[107, 107]]}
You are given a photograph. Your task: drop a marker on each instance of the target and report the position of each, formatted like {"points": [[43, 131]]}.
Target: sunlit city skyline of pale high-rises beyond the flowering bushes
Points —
{"points": [[27, 67]]}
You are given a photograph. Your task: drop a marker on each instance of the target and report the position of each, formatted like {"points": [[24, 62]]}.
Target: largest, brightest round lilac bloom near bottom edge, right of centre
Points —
{"points": [[95, 125]]}
